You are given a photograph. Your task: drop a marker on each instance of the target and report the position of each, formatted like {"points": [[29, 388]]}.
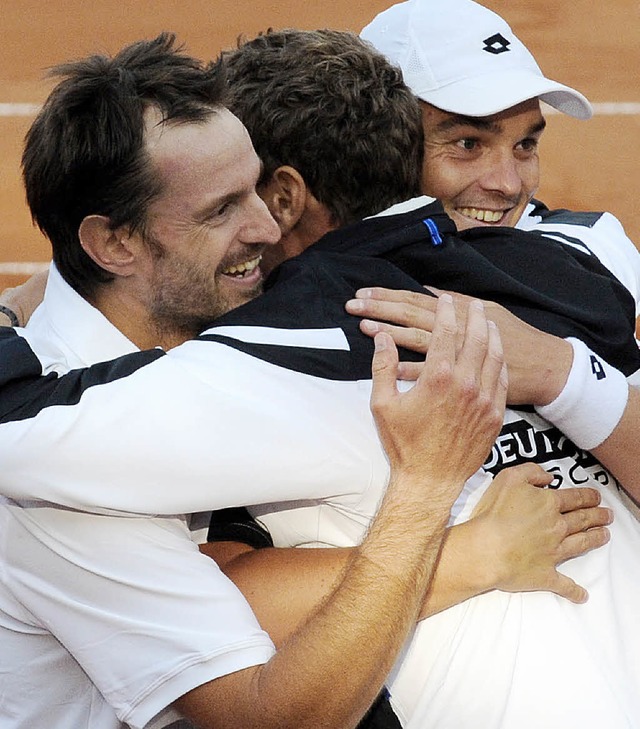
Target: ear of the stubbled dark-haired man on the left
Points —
{"points": [[111, 249]]}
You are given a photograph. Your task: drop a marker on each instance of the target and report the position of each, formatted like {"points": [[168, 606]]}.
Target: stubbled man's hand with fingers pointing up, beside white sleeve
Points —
{"points": [[442, 428]]}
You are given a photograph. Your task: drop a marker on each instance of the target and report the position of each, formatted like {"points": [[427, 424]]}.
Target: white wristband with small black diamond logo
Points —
{"points": [[592, 401]]}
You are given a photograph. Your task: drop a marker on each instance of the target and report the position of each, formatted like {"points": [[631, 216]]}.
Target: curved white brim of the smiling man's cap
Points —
{"points": [[484, 96]]}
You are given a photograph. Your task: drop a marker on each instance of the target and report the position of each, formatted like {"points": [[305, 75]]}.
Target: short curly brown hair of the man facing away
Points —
{"points": [[328, 104]]}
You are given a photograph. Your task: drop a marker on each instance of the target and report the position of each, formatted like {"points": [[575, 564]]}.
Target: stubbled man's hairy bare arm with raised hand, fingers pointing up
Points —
{"points": [[435, 436]]}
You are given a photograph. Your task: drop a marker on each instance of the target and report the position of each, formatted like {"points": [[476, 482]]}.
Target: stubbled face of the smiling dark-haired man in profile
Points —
{"points": [[207, 229]]}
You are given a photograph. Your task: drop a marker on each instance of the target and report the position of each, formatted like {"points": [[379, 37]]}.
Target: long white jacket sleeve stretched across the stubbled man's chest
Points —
{"points": [[202, 427]]}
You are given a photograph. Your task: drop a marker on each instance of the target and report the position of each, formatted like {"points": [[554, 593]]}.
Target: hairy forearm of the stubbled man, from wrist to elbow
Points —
{"points": [[356, 632]]}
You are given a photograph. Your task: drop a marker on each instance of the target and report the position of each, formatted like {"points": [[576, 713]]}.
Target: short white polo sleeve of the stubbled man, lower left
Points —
{"points": [[140, 610]]}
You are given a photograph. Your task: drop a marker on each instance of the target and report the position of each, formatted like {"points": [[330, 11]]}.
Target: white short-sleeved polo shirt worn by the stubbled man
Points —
{"points": [[106, 620]]}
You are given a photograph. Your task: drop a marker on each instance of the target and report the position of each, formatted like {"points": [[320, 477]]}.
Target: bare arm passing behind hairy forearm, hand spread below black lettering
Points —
{"points": [[514, 541]]}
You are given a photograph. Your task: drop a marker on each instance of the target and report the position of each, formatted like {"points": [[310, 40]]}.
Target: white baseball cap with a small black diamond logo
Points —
{"points": [[463, 58]]}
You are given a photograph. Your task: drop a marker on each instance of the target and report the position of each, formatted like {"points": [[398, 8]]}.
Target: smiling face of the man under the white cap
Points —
{"points": [[485, 170]]}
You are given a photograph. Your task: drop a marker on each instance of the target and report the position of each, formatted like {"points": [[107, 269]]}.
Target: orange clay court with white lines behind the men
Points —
{"points": [[593, 46]]}
